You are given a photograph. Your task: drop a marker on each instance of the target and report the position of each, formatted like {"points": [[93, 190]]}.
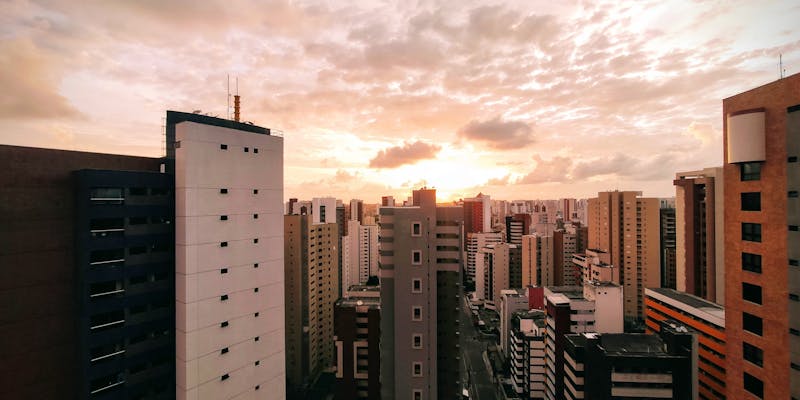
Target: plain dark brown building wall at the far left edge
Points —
{"points": [[37, 237]]}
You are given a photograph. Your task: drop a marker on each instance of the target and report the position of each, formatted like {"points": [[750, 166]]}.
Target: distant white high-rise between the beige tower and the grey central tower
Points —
{"points": [[360, 254]]}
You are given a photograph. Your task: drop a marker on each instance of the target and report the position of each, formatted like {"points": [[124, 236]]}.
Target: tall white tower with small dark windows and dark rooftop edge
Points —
{"points": [[229, 288]]}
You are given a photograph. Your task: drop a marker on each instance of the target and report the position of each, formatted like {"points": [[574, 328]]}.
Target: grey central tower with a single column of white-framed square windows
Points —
{"points": [[420, 290]]}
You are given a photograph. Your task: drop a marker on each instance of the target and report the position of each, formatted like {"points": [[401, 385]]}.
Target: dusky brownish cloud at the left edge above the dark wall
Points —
{"points": [[30, 84]]}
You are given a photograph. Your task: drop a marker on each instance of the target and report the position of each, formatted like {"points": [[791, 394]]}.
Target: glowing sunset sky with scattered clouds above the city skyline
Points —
{"points": [[516, 99]]}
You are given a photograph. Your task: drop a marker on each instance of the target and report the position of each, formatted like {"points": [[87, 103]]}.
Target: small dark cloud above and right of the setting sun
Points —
{"points": [[498, 134]]}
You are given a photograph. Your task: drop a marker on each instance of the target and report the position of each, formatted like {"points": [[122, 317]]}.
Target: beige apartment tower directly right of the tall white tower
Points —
{"points": [[312, 277]]}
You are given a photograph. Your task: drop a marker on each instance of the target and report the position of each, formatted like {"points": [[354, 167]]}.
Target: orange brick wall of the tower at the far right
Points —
{"points": [[777, 245]]}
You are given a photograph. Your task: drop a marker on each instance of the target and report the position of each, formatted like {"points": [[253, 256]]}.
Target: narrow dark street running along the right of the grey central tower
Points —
{"points": [[480, 379]]}
